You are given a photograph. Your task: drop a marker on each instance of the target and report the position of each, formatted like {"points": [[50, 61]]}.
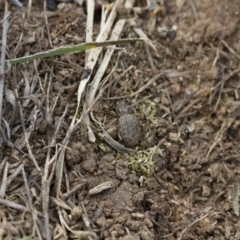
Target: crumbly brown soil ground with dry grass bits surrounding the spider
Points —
{"points": [[190, 115]]}
